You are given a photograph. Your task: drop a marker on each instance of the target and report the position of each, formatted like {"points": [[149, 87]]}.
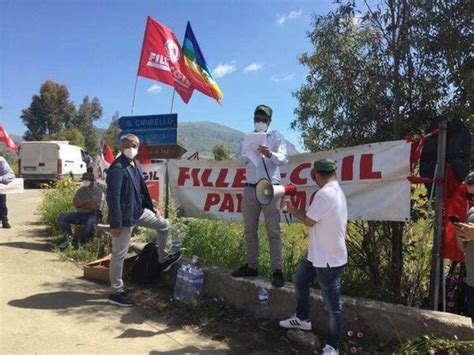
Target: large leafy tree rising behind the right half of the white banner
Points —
{"points": [[376, 75]]}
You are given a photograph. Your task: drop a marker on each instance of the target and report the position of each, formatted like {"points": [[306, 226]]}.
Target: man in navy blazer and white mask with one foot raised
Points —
{"points": [[130, 204]]}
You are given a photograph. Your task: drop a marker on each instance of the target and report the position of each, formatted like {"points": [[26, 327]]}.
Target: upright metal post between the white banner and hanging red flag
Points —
{"points": [[436, 262]]}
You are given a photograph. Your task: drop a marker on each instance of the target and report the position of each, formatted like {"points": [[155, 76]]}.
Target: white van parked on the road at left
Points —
{"points": [[53, 160]]}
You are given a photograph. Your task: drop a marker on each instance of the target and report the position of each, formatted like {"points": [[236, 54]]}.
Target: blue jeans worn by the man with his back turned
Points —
{"points": [[329, 279]]}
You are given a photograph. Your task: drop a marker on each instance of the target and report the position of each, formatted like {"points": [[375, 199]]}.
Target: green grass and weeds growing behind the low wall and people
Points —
{"points": [[222, 243]]}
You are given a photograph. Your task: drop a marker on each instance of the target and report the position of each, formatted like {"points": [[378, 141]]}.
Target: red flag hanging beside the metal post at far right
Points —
{"points": [[456, 204]]}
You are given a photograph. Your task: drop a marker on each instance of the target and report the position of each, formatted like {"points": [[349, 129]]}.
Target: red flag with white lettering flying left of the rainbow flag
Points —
{"points": [[162, 59]]}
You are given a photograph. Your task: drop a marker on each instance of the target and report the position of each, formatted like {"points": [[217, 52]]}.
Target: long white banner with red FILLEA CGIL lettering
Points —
{"points": [[373, 177]]}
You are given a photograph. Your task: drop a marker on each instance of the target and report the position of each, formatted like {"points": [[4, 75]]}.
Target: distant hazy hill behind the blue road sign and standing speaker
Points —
{"points": [[204, 136]]}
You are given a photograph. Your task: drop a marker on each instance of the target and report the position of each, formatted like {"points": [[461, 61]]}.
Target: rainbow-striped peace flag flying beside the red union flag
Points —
{"points": [[198, 71]]}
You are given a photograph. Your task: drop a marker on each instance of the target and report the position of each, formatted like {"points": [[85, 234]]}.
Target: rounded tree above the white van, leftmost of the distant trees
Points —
{"points": [[49, 112]]}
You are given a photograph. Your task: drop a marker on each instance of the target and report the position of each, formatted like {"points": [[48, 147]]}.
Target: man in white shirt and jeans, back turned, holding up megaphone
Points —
{"points": [[327, 254]]}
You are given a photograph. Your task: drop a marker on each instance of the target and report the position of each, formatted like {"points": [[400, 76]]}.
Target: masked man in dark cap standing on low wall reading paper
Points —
{"points": [[273, 155]]}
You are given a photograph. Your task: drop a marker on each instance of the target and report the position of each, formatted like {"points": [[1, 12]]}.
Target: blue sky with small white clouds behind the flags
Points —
{"points": [[93, 46]]}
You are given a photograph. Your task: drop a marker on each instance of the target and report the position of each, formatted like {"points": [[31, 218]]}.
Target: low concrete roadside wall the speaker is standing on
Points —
{"points": [[380, 320]]}
